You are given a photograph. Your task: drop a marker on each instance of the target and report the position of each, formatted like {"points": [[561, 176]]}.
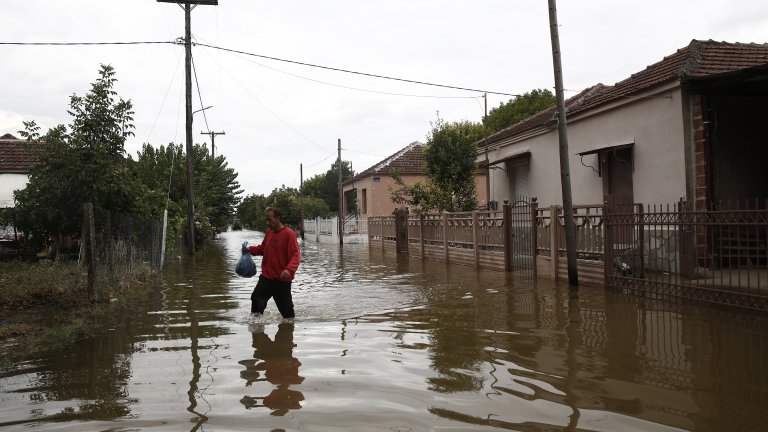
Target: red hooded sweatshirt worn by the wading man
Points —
{"points": [[280, 250]]}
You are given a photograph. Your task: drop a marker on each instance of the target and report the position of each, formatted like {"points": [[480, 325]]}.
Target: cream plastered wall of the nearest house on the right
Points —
{"points": [[652, 121]]}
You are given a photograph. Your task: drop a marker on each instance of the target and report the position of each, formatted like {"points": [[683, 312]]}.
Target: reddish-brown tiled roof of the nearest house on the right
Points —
{"points": [[697, 60]]}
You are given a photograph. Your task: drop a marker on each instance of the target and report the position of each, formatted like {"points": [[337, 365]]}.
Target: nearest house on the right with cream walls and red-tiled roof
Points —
{"points": [[691, 126]]}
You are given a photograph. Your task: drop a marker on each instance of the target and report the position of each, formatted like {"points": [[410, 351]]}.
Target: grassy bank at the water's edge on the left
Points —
{"points": [[44, 305]]}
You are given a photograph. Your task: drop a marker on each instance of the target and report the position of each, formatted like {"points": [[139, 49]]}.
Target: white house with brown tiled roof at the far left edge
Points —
{"points": [[16, 158]]}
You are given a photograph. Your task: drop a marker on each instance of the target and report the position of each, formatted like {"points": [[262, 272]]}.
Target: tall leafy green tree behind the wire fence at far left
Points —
{"points": [[81, 162]]}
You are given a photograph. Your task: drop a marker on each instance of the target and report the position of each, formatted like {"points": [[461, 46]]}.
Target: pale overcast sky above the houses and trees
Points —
{"points": [[277, 115]]}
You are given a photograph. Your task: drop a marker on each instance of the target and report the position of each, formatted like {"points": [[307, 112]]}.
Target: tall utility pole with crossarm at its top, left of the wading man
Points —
{"points": [[188, 6]]}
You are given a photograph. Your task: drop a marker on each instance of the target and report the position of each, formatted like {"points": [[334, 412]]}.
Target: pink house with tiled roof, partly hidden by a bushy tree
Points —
{"points": [[373, 187]]}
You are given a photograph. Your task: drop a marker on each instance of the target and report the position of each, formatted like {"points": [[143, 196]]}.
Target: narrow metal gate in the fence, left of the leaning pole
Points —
{"points": [[520, 247]]}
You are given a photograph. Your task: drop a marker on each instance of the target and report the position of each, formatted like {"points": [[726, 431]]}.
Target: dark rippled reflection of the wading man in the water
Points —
{"points": [[275, 361]]}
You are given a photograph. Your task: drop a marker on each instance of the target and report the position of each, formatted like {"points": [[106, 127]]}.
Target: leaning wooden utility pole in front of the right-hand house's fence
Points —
{"points": [[565, 170]]}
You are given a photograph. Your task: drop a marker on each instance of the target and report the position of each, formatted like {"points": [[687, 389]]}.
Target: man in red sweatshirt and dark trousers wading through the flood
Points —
{"points": [[281, 260]]}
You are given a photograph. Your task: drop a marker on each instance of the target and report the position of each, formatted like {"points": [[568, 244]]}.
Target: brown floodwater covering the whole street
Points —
{"points": [[387, 343]]}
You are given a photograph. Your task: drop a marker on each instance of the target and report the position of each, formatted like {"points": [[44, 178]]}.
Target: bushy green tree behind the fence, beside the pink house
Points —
{"points": [[450, 154]]}
